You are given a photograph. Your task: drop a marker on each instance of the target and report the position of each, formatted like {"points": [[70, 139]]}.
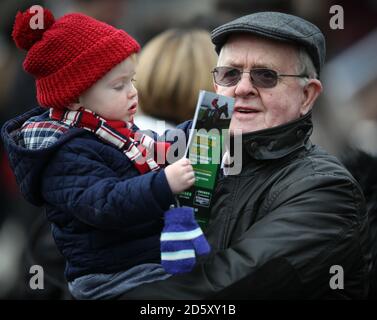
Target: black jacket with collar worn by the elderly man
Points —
{"points": [[278, 227]]}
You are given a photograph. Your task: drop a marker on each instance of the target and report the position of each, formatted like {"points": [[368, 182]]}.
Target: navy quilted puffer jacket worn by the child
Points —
{"points": [[105, 216]]}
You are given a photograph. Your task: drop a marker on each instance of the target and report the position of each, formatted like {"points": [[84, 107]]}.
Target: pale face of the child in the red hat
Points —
{"points": [[114, 96]]}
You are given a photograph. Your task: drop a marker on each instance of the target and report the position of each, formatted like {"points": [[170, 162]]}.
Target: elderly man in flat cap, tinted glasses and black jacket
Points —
{"points": [[292, 223]]}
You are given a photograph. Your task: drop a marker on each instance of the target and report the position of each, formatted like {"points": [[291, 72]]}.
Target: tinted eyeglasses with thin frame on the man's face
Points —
{"points": [[259, 77]]}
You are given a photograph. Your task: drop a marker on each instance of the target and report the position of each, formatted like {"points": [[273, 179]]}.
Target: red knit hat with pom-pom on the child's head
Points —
{"points": [[69, 55]]}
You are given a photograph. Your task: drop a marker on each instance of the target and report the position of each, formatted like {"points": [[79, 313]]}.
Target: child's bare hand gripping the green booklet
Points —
{"points": [[180, 175]]}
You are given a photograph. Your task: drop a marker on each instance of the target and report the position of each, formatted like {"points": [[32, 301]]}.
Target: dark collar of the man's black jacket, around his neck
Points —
{"points": [[279, 141]]}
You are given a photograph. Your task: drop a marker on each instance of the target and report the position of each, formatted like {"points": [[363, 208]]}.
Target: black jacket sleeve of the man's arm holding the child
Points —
{"points": [[308, 226]]}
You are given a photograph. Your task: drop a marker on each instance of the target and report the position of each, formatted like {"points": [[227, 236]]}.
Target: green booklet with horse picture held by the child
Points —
{"points": [[205, 149]]}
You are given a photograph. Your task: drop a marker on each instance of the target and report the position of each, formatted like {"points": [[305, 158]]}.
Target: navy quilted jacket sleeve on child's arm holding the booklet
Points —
{"points": [[87, 181]]}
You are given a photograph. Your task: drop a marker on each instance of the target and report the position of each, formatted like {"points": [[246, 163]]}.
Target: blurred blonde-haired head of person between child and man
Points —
{"points": [[173, 67]]}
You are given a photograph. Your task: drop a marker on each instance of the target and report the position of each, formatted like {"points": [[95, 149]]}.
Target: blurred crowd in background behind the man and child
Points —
{"points": [[177, 31]]}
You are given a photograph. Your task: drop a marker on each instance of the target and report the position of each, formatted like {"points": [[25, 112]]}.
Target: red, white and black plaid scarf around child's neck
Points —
{"points": [[136, 146]]}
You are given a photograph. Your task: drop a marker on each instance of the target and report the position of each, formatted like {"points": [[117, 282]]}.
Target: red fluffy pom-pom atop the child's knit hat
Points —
{"points": [[23, 34]]}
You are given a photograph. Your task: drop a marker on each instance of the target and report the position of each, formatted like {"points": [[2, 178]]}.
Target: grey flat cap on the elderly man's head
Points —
{"points": [[278, 26]]}
